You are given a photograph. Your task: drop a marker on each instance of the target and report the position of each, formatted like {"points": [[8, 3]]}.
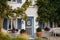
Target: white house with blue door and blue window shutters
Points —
{"points": [[31, 25]]}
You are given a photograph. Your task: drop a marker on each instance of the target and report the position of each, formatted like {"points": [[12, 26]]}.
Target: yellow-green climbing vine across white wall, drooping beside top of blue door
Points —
{"points": [[21, 11]]}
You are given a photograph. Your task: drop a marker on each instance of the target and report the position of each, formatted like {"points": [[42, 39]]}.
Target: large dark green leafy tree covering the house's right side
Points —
{"points": [[48, 10]]}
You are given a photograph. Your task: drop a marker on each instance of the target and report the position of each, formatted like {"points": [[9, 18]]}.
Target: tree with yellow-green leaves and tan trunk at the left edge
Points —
{"points": [[5, 11]]}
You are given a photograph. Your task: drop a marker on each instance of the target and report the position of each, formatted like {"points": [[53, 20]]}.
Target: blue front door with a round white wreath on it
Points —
{"points": [[30, 26]]}
